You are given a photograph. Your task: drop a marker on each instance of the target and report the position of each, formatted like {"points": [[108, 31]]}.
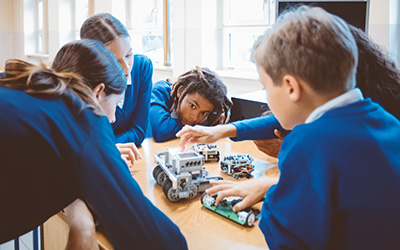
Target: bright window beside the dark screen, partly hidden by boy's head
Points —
{"points": [[242, 23]]}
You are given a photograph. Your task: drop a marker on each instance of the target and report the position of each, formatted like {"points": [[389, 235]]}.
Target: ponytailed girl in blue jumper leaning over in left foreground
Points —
{"points": [[57, 146]]}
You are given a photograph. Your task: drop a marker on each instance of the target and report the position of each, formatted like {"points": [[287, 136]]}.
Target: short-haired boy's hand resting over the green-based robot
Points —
{"points": [[251, 191]]}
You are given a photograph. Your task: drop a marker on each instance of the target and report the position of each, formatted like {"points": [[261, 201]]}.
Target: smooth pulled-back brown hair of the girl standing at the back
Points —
{"points": [[103, 27]]}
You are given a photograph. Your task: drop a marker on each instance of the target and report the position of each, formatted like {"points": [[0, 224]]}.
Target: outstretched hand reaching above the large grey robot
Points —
{"points": [[204, 134]]}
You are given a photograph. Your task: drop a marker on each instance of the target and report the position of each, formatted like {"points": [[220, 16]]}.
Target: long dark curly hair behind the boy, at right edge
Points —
{"points": [[377, 75]]}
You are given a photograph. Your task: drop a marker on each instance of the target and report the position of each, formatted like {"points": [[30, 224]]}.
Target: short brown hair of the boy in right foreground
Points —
{"points": [[312, 44]]}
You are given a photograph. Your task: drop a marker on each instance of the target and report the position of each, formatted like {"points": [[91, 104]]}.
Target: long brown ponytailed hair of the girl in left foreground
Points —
{"points": [[77, 69]]}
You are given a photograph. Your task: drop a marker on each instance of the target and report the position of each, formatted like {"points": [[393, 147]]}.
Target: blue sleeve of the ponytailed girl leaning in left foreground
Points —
{"points": [[129, 218]]}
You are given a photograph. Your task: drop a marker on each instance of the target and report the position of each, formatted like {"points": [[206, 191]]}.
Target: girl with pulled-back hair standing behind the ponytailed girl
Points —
{"points": [[132, 112]]}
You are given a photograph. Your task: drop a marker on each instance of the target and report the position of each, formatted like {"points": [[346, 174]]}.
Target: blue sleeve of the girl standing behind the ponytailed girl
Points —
{"points": [[137, 126]]}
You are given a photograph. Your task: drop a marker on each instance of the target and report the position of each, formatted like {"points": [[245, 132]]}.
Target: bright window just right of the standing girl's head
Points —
{"points": [[149, 26]]}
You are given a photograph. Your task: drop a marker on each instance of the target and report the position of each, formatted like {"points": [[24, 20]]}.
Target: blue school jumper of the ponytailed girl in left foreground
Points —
{"points": [[55, 150]]}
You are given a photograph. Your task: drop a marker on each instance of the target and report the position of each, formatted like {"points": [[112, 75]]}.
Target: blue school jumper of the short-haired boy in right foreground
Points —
{"points": [[339, 184]]}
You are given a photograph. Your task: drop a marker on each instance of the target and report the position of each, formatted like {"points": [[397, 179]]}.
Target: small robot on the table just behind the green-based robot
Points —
{"points": [[237, 165]]}
